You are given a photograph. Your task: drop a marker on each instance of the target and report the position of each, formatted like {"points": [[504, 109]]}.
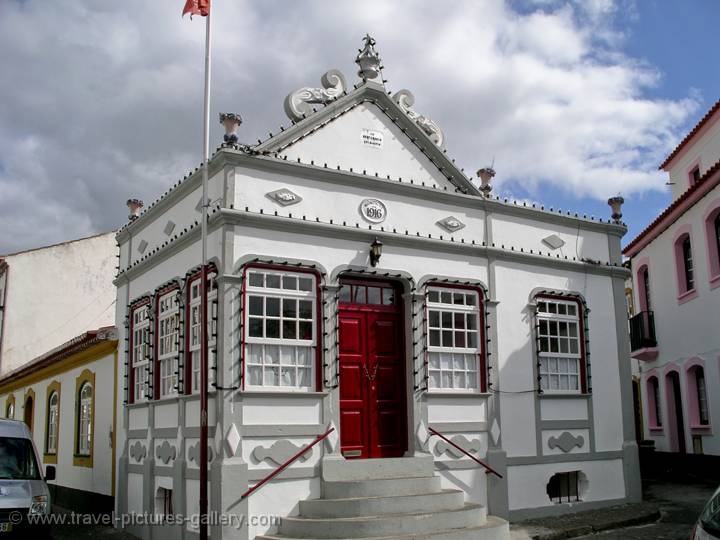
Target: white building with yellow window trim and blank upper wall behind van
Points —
{"points": [[58, 362]]}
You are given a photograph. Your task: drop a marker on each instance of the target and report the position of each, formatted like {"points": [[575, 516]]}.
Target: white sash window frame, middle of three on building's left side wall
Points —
{"points": [[168, 309]]}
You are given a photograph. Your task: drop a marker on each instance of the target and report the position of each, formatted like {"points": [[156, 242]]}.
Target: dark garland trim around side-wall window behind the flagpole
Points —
{"points": [[188, 379]]}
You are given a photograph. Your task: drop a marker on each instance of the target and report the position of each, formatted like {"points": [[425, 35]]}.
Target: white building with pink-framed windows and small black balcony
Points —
{"points": [[676, 279]]}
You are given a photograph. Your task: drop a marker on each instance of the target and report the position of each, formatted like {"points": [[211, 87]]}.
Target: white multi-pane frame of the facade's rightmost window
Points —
{"points": [[554, 360]]}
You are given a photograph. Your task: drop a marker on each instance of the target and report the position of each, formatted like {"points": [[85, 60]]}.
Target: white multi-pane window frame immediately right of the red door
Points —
{"points": [[437, 300]]}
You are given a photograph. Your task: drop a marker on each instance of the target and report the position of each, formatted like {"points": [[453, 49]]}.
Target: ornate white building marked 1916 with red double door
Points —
{"points": [[478, 321]]}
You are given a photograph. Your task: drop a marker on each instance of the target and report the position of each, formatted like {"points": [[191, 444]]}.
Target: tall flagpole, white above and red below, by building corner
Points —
{"points": [[203, 292]]}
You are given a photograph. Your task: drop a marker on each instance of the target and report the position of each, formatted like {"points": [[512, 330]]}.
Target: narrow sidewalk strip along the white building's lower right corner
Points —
{"points": [[572, 525]]}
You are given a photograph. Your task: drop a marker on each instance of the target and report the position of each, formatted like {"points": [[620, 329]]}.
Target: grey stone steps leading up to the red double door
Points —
{"points": [[380, 499]]}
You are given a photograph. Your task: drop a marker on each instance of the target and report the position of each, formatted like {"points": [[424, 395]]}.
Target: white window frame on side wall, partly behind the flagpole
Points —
{"points": [[193, 330]]}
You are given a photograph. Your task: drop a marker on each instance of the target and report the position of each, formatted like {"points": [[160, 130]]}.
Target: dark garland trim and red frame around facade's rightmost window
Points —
{"points": [[584, 373]]}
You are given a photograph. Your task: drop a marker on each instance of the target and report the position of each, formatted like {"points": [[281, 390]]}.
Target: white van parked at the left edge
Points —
{"points": [[23, 490]]}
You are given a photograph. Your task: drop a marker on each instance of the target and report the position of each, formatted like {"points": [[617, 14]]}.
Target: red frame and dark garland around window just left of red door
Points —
{"points": [[318, 314]]}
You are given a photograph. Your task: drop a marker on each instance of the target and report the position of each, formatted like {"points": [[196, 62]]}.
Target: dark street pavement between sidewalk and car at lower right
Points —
{"points": [[680, 505]]}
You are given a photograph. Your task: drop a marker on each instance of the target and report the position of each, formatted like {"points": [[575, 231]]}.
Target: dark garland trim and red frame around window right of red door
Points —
{"points": [[481, 353]]}
